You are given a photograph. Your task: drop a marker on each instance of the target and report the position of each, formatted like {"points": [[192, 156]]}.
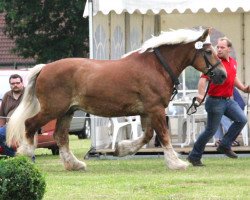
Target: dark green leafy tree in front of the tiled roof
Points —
{"points": [[47, 30]]}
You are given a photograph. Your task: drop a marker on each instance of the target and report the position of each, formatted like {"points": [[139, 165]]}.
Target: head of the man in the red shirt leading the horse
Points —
{"points": [[224, 47]]}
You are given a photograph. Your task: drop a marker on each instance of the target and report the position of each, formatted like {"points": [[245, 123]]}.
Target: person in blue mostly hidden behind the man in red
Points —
{"points": [[226, 122]]}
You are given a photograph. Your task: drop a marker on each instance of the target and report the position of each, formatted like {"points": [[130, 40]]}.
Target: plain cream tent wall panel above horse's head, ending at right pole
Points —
{"points": [[230, 24]]}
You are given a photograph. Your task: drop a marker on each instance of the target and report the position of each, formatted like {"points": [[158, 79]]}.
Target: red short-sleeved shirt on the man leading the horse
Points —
{"points": [[226, 89]]}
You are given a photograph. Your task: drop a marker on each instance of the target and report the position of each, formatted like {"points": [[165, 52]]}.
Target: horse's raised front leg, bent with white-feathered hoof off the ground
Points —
{"points": [[130, 147]]}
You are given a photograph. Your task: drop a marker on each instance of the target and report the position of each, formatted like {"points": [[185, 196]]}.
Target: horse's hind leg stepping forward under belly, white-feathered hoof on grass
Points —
{"points": [[62, 138]]}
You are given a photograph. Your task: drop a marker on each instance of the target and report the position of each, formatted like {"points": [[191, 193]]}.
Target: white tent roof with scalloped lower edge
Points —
{"points": [[167, 6]]}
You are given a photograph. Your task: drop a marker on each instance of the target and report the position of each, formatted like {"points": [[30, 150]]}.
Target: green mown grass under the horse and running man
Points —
{"points": [[143, 178]]}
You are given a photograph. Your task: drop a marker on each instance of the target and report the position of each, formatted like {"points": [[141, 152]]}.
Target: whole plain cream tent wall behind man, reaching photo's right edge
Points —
{"points": [[235, 26]]}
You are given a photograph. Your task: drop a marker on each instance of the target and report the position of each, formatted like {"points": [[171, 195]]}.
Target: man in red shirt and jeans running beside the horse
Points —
{"points": [[218, 103]]}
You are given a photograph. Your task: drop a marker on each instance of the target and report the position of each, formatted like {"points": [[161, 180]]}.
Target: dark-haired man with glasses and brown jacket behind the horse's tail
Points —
{"points": [[10, 102]]}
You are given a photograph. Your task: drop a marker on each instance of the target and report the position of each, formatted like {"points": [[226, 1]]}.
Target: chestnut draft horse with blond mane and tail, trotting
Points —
{"points": [[137, 84]]}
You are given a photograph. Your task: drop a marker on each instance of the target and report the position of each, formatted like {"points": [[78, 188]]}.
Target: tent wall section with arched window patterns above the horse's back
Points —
{"points": [[114, 35]]}
